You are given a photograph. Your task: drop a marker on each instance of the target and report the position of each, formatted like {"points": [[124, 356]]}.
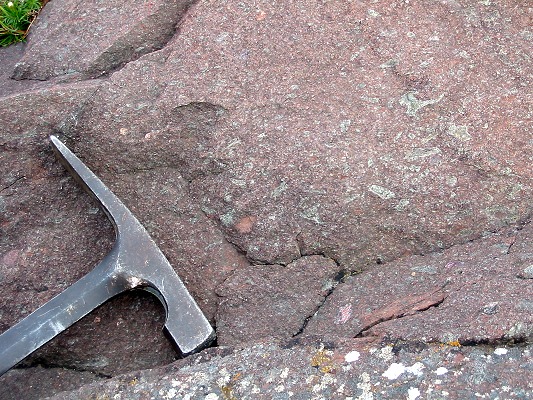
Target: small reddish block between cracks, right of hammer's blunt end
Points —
{"points": [[262, 302]]}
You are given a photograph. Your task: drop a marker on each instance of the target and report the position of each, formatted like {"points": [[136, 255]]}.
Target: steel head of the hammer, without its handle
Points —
{"points": [[137, 262]]}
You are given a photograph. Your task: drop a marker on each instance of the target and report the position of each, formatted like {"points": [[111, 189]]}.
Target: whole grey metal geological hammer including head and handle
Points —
{"points": [[135, 262]]}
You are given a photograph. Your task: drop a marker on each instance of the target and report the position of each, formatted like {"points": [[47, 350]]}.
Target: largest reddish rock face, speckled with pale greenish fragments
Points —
{"points": [[323, 140]]}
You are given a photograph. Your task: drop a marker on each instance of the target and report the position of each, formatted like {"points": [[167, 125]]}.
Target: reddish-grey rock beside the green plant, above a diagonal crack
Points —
{"points": [[77, 39]]}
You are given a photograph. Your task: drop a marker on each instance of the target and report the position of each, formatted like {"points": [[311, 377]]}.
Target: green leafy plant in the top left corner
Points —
{"points": [[16, 17]]}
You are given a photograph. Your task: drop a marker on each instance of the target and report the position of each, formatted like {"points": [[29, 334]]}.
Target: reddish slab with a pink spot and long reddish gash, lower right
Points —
{"points": [[473, 293]]}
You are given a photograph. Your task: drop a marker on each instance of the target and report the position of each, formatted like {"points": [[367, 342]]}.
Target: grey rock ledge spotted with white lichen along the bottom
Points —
{"points": [[343, 370]]}
